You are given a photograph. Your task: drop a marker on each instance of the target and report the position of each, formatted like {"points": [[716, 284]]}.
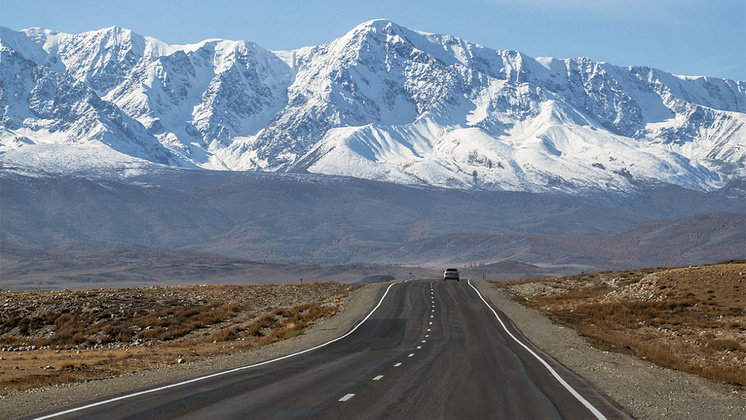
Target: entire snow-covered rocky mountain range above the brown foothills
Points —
{"points": [[382, 102]]}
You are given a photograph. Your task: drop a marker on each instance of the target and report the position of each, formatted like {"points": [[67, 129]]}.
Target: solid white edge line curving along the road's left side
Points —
{"points": [[225, 372]]}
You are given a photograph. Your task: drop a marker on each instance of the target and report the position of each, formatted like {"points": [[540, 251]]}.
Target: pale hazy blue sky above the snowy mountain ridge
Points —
{"points": [[689, 37]]}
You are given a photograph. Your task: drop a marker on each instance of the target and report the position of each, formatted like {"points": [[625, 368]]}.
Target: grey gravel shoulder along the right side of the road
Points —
{"points": [[643, 389]]}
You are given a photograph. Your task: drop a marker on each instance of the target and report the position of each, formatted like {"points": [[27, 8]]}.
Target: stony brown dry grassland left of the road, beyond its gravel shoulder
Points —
{"points": [[51, 337]]}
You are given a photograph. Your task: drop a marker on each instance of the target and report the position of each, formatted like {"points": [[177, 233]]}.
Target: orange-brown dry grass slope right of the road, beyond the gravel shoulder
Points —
{"points": [[688, 318]]}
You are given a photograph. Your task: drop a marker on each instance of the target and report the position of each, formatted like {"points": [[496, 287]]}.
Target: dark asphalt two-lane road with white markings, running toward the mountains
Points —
{"points": [[430, 350]]}
